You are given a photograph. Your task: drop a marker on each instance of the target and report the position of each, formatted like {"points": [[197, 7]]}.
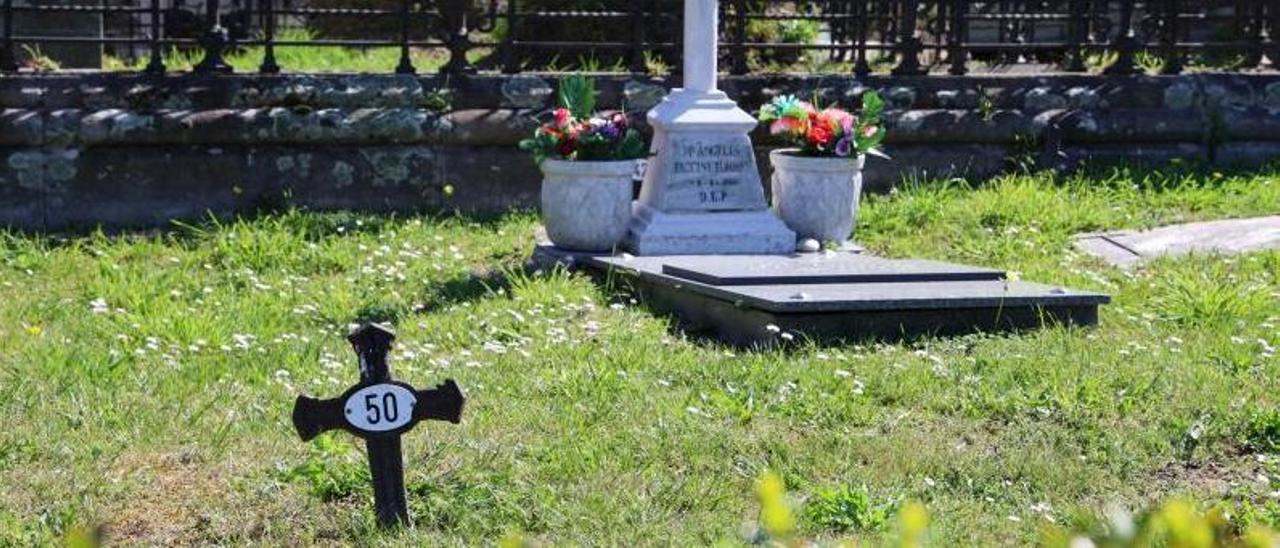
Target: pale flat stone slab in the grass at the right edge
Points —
{"points": [[1235, 236]]}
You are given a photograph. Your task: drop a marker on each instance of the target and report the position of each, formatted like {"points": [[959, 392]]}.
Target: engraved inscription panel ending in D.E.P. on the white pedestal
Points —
{"points": [[712, 173]]}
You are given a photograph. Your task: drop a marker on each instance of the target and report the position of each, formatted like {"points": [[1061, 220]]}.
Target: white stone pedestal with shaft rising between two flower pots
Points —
{"points": [[702, 191]]}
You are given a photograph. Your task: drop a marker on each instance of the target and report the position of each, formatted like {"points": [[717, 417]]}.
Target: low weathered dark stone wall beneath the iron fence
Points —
{"points": [[136, 150]]}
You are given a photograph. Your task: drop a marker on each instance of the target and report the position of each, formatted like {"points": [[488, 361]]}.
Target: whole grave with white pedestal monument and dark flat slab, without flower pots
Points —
{"points": [[707, 250]]}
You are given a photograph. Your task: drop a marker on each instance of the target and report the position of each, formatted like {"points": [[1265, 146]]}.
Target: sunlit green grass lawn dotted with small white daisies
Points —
{"points": [[148, 380]]}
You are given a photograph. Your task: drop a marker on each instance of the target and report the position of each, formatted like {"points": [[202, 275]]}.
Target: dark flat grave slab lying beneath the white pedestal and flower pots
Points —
{"points": [[753, 300]]}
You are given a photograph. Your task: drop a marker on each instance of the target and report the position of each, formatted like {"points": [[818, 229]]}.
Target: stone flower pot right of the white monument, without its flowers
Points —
{"points": [[817, 198]]}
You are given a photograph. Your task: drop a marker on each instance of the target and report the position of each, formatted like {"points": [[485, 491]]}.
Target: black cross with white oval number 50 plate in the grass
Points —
{"points": [[380, 410]]}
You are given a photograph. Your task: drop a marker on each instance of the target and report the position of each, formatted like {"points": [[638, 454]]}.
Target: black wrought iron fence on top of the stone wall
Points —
{"points": [[899, 36]]}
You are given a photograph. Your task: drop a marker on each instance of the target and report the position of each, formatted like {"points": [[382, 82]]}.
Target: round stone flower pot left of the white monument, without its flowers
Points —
{"points": [[587, 205]]}
